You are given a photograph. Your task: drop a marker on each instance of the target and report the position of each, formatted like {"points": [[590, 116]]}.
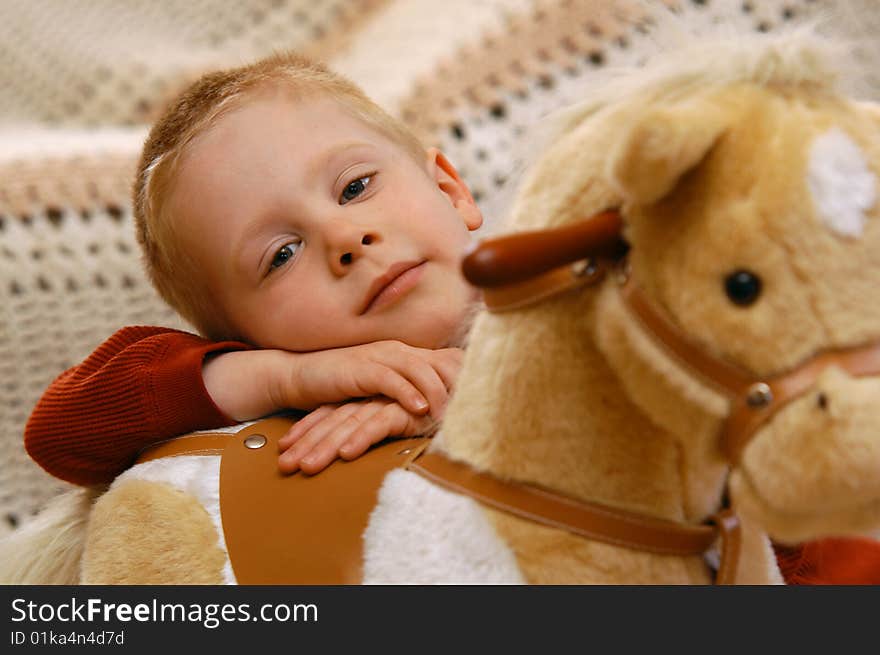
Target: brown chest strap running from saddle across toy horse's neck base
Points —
{"points": [[594, 521]]}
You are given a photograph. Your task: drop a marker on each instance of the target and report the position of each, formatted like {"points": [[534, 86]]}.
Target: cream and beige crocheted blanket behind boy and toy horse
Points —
{"points": [[81, 82]]}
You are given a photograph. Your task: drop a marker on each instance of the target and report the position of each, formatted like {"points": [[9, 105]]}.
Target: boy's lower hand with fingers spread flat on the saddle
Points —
{"points": [[345, 431]]}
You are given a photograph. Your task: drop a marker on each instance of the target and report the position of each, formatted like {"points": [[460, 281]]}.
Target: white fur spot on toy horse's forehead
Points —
{"points": [[842, 185]]}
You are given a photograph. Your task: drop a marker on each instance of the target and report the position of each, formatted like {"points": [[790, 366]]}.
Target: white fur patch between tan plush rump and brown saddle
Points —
{"points": [[196, 475]]}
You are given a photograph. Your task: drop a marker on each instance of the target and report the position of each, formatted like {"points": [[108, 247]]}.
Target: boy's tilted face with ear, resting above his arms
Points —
{"points": [[314, 231]]}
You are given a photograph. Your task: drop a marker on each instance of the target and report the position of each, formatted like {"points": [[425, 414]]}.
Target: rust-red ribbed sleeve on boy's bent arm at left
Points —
{"points": [[142, 385]]}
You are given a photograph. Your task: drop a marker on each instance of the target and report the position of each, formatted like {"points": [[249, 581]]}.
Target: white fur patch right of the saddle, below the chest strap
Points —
{"points": [[421, 534]]}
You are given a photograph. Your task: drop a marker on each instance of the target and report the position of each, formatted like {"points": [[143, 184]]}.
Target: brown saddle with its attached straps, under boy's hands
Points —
{"points": [[308, 530]]}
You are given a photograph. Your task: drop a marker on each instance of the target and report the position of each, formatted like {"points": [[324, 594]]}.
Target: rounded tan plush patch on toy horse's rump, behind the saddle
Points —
{"points": [[149, 533]]}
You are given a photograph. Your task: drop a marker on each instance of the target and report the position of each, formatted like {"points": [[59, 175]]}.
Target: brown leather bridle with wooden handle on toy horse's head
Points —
{"points": [[519, 270]]}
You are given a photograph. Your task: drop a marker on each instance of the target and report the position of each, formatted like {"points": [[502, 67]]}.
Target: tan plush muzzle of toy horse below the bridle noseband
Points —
{"points": [[841, 446]]}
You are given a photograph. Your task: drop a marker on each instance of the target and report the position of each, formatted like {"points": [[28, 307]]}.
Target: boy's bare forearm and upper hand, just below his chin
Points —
{"points": [[253, 383]]}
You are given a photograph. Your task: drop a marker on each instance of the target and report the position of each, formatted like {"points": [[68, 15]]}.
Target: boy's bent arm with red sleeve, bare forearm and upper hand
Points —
{"points": [[145, 384]]}
